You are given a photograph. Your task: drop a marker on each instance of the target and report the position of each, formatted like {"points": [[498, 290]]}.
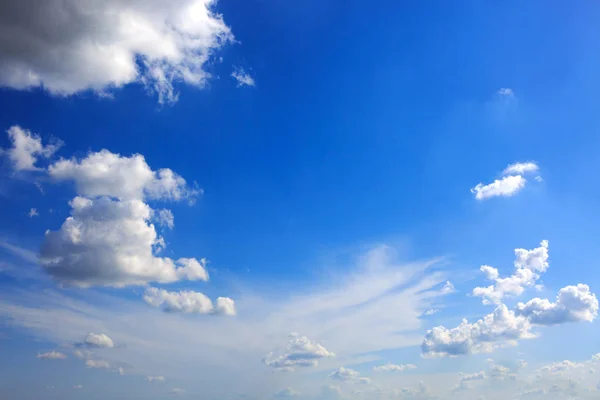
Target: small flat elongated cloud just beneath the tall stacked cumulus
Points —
{"points": [[188, 302]]}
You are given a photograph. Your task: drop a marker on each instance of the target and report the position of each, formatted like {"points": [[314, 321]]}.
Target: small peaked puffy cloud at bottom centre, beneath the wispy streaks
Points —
{"points": [[300, 352]]}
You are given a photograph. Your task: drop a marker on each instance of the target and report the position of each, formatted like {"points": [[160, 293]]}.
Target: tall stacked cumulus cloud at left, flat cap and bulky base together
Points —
{"points": [[109, 239]]}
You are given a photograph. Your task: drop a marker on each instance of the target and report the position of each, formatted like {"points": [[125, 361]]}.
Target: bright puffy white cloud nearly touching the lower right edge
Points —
{"points": [[573, 304]]}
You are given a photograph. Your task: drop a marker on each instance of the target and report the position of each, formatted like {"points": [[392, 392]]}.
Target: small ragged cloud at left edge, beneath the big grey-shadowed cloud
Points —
{"points": [[27, 147]]}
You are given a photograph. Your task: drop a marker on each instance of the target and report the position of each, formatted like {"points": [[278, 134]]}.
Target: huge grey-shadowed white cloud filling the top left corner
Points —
{"points": [[70, 46]]}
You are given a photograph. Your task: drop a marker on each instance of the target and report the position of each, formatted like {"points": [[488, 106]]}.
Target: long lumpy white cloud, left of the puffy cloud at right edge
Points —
{"points": [[495, 329]]}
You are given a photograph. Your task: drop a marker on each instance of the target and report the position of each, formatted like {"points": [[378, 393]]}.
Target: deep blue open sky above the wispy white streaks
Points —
{"points": [[368, 124]]}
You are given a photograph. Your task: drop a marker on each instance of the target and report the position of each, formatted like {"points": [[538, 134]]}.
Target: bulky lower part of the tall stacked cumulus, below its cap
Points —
{"points": [[110, 243]]}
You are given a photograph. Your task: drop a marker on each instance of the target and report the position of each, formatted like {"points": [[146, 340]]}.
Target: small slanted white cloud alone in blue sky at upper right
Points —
{"points": [[510, 184]]}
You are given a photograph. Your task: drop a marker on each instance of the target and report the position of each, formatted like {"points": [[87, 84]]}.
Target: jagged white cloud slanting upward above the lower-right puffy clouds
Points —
{"points": [[528, 265]]}
